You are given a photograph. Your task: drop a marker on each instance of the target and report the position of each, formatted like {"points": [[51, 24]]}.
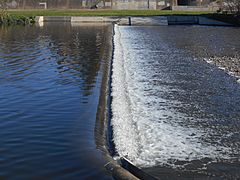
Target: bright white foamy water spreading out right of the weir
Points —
{"points": [[144, 129]]}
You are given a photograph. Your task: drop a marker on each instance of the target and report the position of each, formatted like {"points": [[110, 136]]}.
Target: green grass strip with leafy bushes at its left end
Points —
{"points": [[23, 17]]}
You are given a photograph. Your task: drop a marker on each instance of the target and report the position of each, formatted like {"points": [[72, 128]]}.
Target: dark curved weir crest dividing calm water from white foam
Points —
{"points": [[122, 168]]}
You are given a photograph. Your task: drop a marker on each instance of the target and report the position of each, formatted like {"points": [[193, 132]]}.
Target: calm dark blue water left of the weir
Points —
{"points": [[49, 90]]}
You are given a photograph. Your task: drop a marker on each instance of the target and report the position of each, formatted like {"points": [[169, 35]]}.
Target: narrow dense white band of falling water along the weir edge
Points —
{"points": [[121, 120]]}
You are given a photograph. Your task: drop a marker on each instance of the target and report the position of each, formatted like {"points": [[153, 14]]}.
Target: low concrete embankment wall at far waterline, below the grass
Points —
{"points": [[137, 21]]}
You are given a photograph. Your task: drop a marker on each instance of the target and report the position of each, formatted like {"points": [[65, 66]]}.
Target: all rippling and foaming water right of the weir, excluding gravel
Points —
{"points": [[170, 107]]}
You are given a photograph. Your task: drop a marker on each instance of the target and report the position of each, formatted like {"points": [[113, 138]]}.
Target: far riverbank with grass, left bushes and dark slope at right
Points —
{"points": [[26, 16]]}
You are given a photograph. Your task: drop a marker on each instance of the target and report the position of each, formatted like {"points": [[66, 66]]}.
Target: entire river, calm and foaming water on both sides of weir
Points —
{"points": [[175, 100]]}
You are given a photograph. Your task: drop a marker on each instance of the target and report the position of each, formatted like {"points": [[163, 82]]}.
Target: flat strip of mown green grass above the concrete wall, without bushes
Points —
{"points": [[82, 12]]}
